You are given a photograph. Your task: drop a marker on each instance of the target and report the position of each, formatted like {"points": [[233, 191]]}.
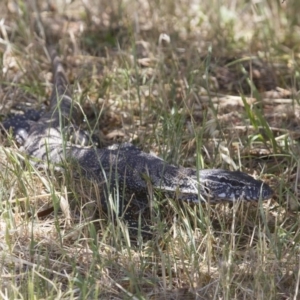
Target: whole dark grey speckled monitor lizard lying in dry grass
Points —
{"points": [[125, 166]]}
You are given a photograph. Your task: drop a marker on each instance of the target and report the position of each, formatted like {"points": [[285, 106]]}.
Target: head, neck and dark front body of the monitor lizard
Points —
{"points": [[136, 169]]}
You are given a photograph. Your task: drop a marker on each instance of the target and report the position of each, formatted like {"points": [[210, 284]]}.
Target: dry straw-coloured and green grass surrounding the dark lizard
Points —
{"points": [[174, 78]]}
